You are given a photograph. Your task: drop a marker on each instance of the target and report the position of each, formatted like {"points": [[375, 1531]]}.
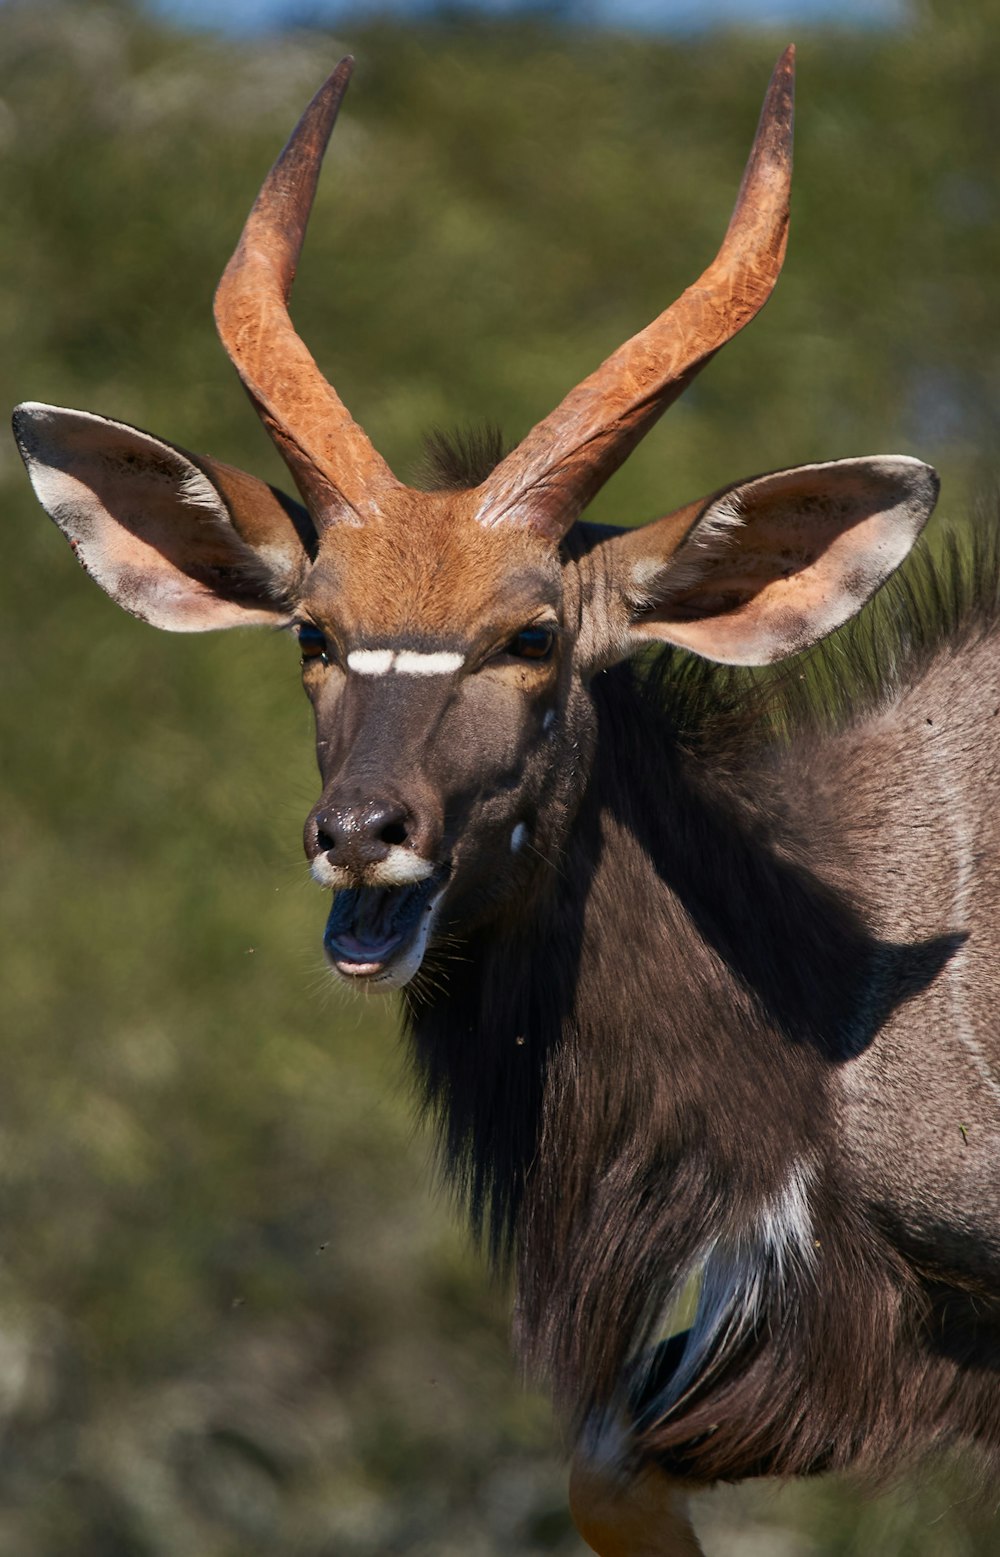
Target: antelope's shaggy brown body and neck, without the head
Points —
{"points": [[758, 1036]]}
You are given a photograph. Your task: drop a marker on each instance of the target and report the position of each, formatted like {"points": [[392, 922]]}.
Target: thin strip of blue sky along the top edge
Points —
{"points": [[255, 16]]}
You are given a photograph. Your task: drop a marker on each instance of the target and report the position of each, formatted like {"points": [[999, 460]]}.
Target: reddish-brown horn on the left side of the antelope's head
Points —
{"points": [[336, 468]]}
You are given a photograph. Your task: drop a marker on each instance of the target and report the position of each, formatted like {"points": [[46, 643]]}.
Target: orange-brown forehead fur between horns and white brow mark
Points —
{"points": [[429, 571]]}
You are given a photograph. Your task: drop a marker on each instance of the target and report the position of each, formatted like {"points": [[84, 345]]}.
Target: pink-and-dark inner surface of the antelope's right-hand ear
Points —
{"points": [[814, 546]]}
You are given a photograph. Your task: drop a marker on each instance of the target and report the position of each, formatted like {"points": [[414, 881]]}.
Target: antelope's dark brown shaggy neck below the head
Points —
{"points": [[639, 1075]]}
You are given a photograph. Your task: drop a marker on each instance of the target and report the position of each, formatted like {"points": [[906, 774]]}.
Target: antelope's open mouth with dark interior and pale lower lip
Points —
{"points": [[379, 933]]}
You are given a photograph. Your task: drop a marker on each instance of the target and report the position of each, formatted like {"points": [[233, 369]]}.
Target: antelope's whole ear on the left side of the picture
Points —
{"points": [[177, 540]]}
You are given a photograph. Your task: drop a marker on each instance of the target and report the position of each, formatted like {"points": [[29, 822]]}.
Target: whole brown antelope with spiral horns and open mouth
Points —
{"points": [[697, 980]]}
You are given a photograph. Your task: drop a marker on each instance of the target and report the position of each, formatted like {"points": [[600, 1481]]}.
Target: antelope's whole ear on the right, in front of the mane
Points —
{"points": [[770, 566]]}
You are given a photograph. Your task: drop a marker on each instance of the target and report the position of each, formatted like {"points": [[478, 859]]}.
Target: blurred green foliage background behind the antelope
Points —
{"points": [[236, 1316]]}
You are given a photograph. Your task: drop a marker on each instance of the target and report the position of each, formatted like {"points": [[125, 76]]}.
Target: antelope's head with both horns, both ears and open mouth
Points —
{"points": [[449, 638]]}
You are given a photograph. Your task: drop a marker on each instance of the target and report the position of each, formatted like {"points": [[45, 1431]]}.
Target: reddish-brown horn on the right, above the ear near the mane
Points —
{"points": [[562, 465]]}
